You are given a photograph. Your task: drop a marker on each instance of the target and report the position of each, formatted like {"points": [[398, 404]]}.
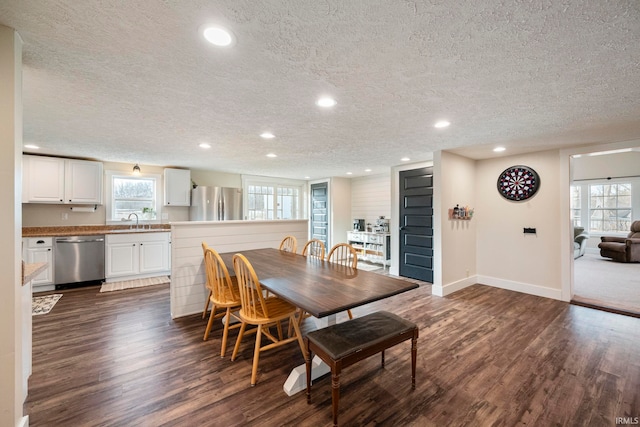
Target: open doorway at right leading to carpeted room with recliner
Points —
{"points": [[599, 197]]}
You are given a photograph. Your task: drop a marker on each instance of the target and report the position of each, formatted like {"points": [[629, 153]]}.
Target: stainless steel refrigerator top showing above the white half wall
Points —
{"points": [[215, 204]]}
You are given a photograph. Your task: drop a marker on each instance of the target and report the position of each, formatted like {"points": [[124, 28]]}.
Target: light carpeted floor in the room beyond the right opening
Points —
{"points": [[600, 281]]}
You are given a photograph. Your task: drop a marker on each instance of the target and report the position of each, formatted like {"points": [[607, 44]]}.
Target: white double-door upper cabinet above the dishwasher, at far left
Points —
{"points": [[58, 180]]}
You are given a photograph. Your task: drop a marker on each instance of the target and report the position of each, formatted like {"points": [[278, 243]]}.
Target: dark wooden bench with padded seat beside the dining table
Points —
{"points": [[346, 343]]}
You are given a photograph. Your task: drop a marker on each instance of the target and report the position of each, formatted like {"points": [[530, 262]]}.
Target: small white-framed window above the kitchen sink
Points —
{"points": [[127, 195]]}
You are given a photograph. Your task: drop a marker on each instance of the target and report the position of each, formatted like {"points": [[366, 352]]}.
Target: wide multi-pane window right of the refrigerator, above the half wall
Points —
{"points": [[267, 198]]}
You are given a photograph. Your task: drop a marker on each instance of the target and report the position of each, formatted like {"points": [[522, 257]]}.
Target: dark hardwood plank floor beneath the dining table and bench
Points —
{"points": [[486, 356]]}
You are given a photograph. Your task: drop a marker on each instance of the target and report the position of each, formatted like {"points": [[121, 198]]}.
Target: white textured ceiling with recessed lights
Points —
{"points": [[133, 81]]}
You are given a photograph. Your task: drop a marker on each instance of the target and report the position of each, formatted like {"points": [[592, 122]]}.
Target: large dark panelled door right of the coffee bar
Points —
{"points": [[416, 224]]}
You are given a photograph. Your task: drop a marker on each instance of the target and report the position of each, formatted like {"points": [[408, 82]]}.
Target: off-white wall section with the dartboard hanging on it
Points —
{"points": [[506, 257]]}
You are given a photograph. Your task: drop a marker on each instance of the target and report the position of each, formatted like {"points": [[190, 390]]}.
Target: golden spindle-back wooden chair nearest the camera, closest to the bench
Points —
{"points": [[262, 312]]}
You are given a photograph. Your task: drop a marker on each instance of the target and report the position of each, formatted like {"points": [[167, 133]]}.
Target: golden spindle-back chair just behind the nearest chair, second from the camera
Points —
{"points": [[223, 294]]}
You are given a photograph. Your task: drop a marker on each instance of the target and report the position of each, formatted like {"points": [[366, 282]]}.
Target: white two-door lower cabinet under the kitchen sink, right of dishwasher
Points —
{"points": [[137, 255]]}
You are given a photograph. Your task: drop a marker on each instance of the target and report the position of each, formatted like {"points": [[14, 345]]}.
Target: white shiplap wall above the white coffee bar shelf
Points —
{"points": [[371, 197]]}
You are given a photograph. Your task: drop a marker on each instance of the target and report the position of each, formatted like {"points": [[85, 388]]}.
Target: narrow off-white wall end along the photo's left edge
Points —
{"points": [[12, 389]]}
